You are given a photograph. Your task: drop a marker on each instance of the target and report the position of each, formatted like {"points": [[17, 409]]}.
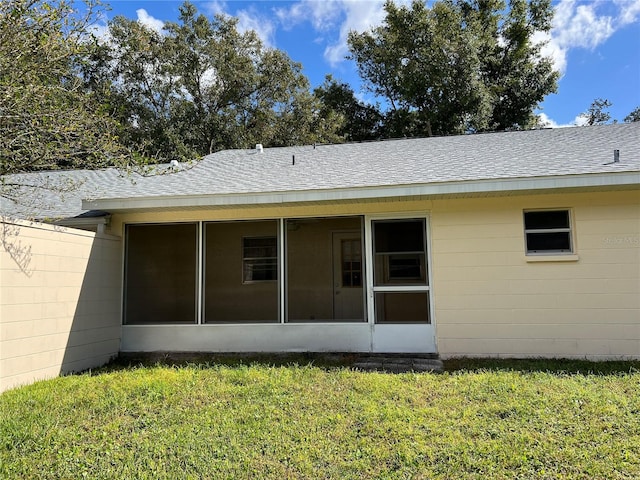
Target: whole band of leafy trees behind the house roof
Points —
{"points": [[69, 99]]}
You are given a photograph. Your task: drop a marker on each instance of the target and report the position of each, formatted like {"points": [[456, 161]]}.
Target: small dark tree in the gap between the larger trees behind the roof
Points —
{"points": [[360, 121]]}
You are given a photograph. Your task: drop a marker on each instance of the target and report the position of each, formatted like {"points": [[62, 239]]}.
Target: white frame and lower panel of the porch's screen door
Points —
{"points": [[399, 338]]}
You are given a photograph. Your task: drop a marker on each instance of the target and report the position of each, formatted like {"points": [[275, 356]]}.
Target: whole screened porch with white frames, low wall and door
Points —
{"points": [[343, 283]]}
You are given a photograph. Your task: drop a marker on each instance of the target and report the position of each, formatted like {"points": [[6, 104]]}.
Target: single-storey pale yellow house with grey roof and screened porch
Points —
{"points": [[522, 244]]}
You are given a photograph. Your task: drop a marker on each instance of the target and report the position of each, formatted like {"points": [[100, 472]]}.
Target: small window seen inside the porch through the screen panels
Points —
{"points": [[259, 259]]}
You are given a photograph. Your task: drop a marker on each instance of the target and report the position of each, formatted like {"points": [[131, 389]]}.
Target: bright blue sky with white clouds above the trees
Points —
{"points": [[595, 44]]}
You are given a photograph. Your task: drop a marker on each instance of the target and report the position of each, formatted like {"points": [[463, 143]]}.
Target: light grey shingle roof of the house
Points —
{"points": [[492, 156]]}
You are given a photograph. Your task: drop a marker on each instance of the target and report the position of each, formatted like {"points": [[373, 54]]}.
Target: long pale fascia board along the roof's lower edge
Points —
{"points": [[443, 189]]}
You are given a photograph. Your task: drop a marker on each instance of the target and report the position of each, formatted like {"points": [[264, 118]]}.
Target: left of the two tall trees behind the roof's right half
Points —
{"points": [[419, 68]]}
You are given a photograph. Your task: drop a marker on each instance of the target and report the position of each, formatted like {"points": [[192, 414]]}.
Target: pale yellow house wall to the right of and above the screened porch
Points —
{"points": [[490, 299]]}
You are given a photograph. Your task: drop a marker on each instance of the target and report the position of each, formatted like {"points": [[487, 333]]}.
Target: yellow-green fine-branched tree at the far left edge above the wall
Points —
{"points": [[47, 120]]}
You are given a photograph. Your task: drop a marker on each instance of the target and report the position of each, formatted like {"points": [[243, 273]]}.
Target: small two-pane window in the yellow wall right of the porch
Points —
{"points": [[547, 232]]}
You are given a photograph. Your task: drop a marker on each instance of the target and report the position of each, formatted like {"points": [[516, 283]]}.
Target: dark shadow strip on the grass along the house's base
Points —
{"points": [[332, 361]]}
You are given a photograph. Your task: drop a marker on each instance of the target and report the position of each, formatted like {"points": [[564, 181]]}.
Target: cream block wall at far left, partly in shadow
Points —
{"points": [[60, 293]]}
